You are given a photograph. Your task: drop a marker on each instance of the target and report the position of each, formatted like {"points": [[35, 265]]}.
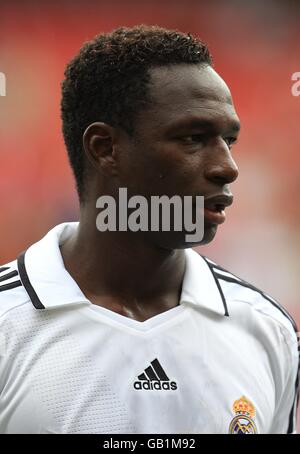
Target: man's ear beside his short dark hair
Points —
{"points": [[99, 140]]}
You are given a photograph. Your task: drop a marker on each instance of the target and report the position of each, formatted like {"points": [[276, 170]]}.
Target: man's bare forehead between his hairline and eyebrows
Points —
{"points": [[183, 92]]}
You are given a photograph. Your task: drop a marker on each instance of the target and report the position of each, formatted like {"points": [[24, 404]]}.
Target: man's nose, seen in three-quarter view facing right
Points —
{"points": [[222, 169]]}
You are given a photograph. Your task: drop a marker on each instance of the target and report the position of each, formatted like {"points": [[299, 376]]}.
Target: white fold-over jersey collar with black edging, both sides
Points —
{"points": [[49, 285]]}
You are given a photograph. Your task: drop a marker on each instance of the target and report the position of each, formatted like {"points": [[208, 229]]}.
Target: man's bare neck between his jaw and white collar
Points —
{"points": [[122, 265]]}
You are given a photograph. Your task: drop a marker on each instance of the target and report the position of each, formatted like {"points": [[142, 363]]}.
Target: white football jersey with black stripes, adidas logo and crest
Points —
{"points": [[225, 360]]}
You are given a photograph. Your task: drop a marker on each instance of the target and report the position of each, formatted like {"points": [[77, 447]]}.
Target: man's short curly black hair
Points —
{"points": [[107, 81]]}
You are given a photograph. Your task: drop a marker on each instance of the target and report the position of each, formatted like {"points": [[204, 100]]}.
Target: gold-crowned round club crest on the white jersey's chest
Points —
{"points": [[243, 422]]}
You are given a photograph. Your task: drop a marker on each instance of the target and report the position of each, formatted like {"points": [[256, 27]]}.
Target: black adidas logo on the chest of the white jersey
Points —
{"points": [[154, 377]]}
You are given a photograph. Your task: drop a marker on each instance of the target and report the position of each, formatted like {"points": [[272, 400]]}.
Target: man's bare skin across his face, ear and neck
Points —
{"points": [[182, 145]]}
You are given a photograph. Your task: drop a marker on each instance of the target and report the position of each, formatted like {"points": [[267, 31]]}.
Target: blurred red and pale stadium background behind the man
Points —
{"points": [[256, 49]]}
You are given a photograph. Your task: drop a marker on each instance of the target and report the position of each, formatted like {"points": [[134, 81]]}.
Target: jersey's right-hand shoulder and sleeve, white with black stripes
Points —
{"points": [[269, 325]]}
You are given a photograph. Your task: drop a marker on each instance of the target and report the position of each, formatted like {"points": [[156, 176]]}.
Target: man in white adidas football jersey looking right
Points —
{"points": [[132, 332]]}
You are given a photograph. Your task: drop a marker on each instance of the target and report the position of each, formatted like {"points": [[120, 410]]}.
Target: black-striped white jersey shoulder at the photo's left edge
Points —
{"points": [[12, 292]]}
